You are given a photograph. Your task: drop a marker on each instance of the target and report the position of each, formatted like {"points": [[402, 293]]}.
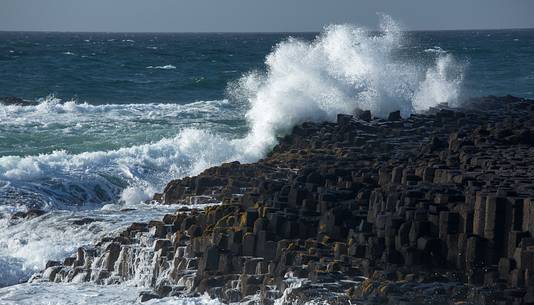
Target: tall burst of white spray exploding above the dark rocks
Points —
{"points": [[344, 68]]}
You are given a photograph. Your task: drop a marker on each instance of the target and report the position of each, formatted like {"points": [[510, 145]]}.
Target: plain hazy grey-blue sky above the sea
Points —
{"points": [[257, 15]]}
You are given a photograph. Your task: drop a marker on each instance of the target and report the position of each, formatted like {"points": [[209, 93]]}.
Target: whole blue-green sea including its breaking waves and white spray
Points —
{"points": [[115, 116]]}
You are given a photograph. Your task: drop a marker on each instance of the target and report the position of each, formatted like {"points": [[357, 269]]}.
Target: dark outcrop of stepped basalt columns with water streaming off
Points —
{"points": [[434, 209]]}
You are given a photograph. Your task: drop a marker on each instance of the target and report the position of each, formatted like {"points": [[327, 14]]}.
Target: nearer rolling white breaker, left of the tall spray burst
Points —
{"points": [[132, 174]]}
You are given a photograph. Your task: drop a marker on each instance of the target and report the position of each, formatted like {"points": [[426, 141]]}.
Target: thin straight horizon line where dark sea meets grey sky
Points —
{"points": [[247, 32]]}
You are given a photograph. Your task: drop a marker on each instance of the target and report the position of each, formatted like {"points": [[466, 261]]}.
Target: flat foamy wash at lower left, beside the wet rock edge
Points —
{"points": [[26, 245]]}
